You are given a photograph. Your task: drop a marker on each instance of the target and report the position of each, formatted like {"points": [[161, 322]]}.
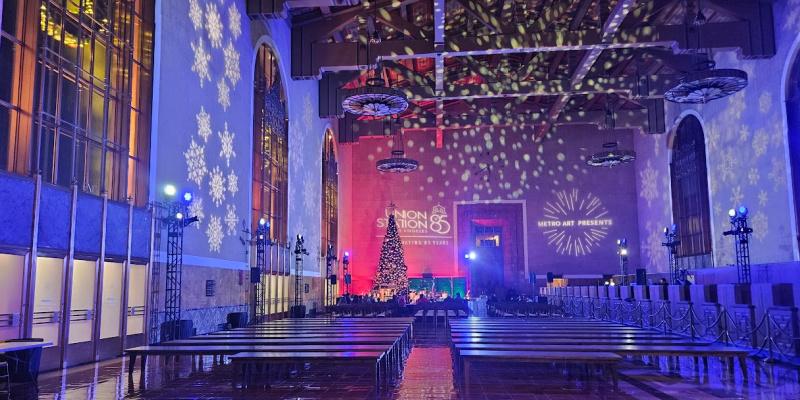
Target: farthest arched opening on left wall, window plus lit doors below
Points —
{"points": [[330, 210]]}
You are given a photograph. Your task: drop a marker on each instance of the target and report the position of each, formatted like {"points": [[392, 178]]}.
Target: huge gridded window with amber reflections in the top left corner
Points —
{"points": [[75, 98]]}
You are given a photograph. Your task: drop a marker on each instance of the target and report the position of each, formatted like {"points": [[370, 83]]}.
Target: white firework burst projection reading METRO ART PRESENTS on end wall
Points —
{"points": [[574, 223]]}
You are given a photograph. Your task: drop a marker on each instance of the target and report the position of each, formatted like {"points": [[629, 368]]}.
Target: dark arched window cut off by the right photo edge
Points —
{"points": [[793, 124]]}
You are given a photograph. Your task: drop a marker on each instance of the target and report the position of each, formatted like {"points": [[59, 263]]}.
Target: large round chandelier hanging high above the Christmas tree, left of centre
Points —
{"points": [[375, 100]]}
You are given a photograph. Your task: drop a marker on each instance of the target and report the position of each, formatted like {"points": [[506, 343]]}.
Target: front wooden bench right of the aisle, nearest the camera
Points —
{"points": [[606, 360]]}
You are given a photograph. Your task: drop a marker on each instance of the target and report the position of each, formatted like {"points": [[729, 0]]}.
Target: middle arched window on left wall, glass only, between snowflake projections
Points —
{"points": [[271, 152]]}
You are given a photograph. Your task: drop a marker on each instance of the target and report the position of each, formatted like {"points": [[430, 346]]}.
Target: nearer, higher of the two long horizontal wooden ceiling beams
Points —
{"points": [[310, 59]]}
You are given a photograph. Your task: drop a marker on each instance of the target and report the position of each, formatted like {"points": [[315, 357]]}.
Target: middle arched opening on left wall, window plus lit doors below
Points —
{"points": [[270, 180]]}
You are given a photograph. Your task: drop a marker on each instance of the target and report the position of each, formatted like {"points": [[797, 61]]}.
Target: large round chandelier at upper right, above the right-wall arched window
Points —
{"points": [[700, 87]]}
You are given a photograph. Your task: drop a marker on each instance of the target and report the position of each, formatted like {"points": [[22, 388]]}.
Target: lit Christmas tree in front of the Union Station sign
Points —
{"points": [[392, 270]]}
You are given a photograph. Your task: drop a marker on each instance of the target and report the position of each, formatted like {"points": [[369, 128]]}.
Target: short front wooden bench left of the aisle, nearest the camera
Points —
{"points": [[250, 361]]}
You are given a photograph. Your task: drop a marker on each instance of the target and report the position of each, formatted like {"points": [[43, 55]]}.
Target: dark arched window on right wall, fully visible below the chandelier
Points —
{"points": [[690, 209]]}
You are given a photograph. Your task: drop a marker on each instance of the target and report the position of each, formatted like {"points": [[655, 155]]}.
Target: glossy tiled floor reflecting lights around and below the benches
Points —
{"points": [[428, 375]]}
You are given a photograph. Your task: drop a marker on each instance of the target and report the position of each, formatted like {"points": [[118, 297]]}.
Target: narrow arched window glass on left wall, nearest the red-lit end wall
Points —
{"points": [[330, 193]]}
